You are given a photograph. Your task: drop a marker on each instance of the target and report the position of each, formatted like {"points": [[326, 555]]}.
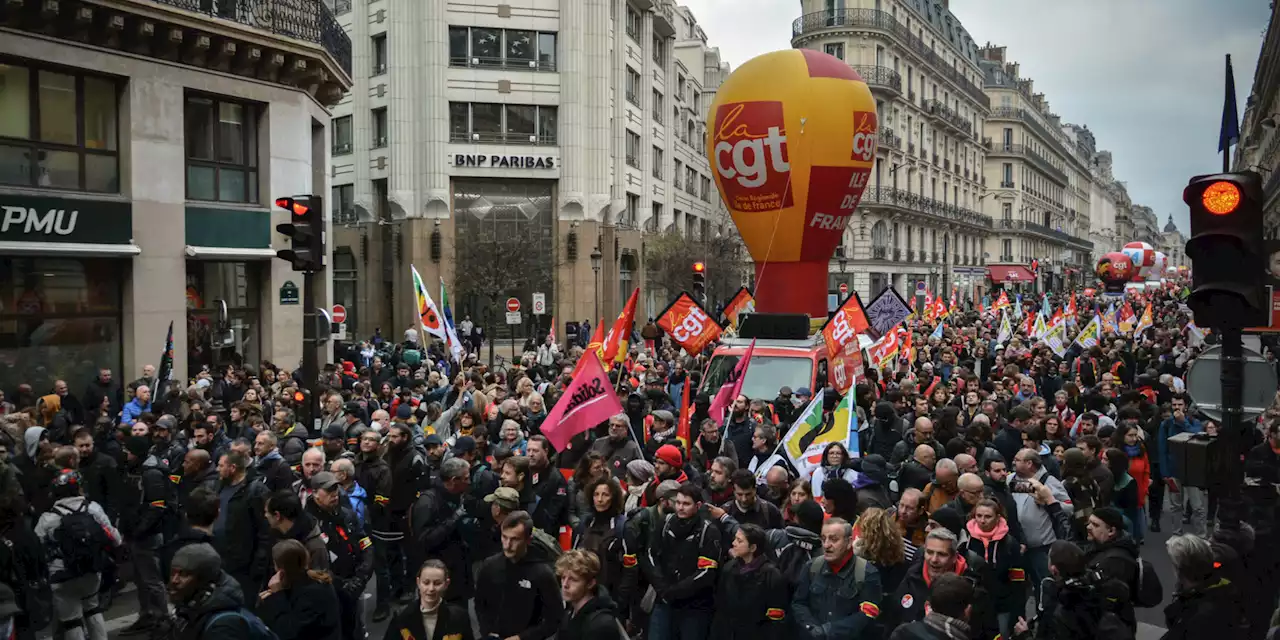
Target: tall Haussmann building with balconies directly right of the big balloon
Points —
{"points": [[920, 223]]}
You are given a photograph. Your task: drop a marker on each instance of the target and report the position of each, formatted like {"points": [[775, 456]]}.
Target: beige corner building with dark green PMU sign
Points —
{"points": [[141, 148]]}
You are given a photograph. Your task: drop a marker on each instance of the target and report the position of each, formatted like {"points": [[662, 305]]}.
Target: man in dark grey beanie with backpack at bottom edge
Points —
{"points": [[208, 602]]}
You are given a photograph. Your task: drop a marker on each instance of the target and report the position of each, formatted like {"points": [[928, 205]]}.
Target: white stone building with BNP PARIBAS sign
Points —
{"points": [[518, 150]]}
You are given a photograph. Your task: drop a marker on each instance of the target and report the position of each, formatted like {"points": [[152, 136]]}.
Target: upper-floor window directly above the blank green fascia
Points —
{"points": [[222, 150]]}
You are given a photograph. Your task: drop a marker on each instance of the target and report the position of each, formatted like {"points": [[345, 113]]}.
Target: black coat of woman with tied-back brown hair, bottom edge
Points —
{"points": [[305, 611]]}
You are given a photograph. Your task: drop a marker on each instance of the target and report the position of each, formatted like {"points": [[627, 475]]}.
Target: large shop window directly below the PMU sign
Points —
{"points": [[60, 321]]}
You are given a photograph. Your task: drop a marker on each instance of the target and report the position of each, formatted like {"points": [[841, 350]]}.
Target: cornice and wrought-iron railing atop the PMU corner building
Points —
{"points": [[291, 43]]}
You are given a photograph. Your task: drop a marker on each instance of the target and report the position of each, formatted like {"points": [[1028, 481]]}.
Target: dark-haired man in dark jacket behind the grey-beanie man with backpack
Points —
{"points": [[241, 534]]}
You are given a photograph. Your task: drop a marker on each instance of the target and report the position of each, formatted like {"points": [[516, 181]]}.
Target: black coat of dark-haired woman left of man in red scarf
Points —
{"points": [[752, 602]]}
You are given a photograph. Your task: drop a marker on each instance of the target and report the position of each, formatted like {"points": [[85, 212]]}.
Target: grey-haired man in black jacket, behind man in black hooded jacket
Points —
{"points": [[435, 529]]}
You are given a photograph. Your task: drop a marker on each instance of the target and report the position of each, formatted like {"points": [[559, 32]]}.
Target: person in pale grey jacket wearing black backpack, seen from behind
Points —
{"points": [[79, 540]]}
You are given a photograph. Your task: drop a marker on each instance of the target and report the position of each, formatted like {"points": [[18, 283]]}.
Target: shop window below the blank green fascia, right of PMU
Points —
{"points": [[237, 285]]}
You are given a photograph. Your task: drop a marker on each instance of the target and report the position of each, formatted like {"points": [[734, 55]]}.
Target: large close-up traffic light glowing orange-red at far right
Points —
{"points": [[1227, 250]]}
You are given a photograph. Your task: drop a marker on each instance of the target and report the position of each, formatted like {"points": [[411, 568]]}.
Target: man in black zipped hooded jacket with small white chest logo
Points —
{"points": [[516, 597]]}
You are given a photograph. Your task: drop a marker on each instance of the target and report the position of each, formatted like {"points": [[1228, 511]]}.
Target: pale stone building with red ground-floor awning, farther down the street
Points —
{"points": [[1039, 184]]}
